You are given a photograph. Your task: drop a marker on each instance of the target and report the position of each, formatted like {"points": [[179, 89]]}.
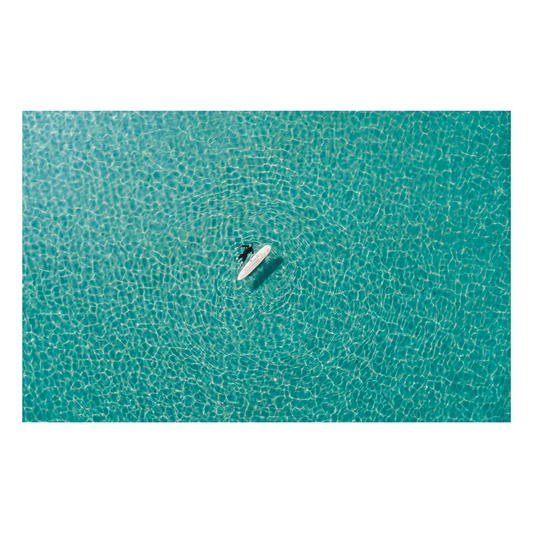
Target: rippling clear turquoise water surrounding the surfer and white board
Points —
{"points": [[386, 296]]}
